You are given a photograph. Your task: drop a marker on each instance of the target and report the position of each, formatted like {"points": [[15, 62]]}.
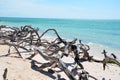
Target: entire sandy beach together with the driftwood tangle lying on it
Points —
{"points": [[57, 58]]}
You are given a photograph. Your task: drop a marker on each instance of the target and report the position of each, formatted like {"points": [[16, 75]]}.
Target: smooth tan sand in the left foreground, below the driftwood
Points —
{"points": [[18, 69]]}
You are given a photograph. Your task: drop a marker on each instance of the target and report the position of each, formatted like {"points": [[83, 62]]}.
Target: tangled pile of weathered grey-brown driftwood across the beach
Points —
{"points": [[29, 40]]}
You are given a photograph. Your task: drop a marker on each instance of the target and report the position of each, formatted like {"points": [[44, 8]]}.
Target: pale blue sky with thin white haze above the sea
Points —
{"points": [[80, 9]]}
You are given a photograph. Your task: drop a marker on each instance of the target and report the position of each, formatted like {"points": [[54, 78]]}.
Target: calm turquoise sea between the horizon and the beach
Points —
{"points": [[103, 32]]}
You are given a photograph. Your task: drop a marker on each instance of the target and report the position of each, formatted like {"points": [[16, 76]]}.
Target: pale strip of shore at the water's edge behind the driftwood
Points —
{"points": [[98, 48]]}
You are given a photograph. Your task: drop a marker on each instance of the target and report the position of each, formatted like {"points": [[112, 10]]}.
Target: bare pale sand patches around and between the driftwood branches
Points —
{"points": [[20, 69]]}
